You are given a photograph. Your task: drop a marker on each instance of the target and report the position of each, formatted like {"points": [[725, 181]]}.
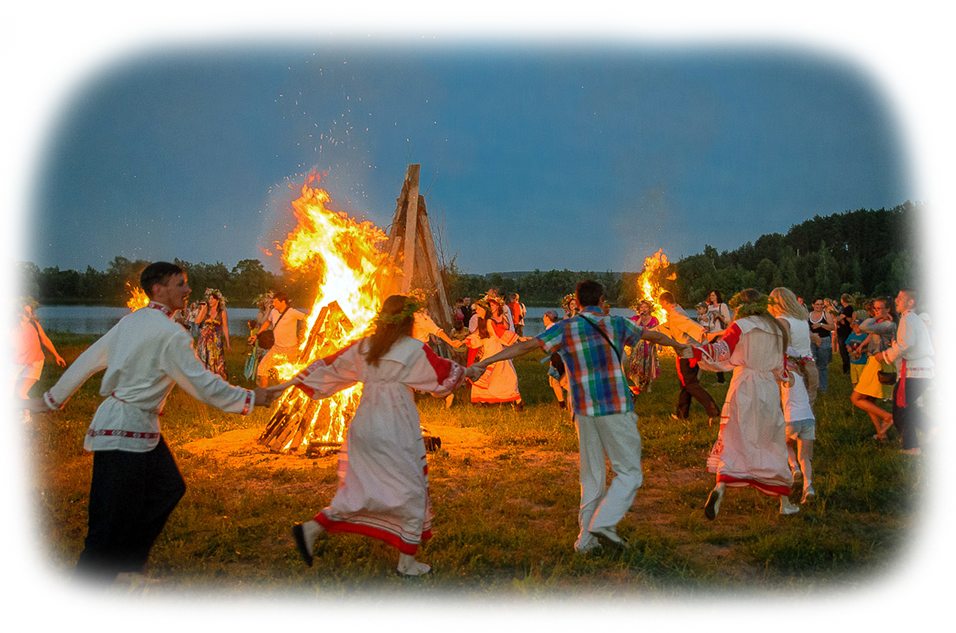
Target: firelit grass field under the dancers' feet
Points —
{"points": [[879, 541]]}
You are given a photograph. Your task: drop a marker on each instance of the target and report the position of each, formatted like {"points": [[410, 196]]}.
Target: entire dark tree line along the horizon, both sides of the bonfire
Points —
{"points": [[864, 252]]}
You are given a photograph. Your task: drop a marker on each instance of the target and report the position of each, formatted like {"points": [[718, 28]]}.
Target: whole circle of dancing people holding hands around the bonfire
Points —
{"points": [[766, 425]]}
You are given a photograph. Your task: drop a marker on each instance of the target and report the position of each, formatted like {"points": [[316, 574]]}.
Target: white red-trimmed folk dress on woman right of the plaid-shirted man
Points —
{"points": [[751, 449]]}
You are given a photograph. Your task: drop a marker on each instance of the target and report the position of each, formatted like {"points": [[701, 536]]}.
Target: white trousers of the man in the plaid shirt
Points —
{"points": [[603, 506]]}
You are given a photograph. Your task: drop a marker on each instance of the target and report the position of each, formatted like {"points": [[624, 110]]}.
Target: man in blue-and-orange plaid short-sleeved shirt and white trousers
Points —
{"points": [[591, 346]]}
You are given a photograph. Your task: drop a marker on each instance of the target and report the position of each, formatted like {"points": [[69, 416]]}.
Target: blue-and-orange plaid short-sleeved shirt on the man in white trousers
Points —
{"points": [[598, 385]]}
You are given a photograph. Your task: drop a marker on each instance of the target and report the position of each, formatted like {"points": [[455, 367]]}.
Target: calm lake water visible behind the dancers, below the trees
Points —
{"points": [[99, 319]]}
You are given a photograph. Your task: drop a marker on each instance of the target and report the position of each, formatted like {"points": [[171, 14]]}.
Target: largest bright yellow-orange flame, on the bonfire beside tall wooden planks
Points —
{"points": [[352, 269]]}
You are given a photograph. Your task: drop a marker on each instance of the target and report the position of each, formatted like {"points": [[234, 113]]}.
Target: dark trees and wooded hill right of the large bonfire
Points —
{"points": [[863, 252]]}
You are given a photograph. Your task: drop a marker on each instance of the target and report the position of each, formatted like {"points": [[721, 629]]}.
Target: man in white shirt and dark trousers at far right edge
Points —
{"points": [[913, 349]]}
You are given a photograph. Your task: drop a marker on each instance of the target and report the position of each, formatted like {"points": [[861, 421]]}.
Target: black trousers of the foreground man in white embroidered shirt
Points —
{"points": [[131, 496]]}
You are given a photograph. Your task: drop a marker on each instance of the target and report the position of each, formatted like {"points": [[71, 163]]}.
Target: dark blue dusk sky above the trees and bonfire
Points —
{"points": [[583, 137]]}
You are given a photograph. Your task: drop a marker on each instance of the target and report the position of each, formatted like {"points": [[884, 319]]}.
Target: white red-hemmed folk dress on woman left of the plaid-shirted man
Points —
{"points": [[383, 472]]}
